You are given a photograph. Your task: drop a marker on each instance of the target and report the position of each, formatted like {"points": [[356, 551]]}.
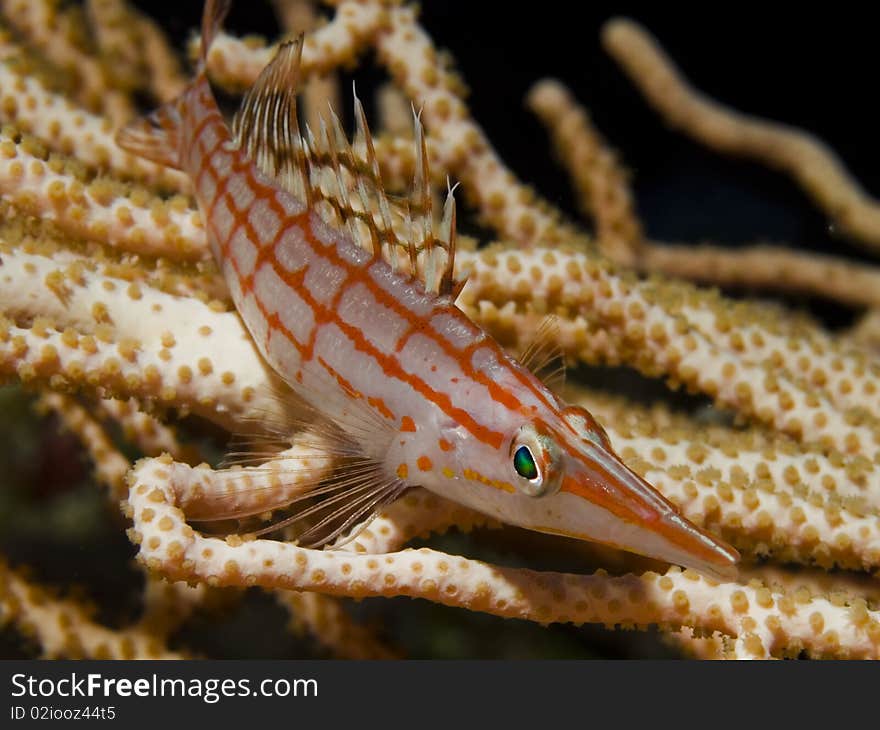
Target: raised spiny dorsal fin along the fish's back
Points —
{"points": [[342, 180]]}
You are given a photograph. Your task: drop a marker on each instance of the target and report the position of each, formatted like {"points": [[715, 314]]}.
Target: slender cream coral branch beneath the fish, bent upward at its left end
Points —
{"points": [[763, 623]]}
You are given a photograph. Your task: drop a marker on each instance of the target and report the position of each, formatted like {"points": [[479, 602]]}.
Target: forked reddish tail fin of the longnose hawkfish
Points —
{"points": [[157, 136]]}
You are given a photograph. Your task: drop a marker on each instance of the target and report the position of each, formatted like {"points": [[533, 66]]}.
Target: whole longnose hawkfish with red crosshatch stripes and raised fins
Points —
{"points": [[355, 310]]}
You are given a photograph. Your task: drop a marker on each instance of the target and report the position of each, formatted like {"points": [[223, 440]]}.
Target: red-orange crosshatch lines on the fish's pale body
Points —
{"points": [[207, 121]]}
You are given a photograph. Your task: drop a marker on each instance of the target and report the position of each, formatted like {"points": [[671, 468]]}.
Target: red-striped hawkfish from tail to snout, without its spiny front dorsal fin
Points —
{"points": [[448, 409]]}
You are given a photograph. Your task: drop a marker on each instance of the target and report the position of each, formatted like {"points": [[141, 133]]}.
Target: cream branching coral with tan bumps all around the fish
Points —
{"points": [[112, 312]]}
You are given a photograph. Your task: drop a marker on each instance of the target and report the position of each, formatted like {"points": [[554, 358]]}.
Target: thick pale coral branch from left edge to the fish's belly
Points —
{"points": [[122, 339]]}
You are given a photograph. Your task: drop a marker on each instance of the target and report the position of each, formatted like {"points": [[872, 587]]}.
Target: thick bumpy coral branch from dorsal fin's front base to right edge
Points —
{"points": [[698, 340]]}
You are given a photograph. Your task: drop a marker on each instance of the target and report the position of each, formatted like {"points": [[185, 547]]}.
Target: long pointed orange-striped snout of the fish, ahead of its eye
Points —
{"points": [[602, 500]]}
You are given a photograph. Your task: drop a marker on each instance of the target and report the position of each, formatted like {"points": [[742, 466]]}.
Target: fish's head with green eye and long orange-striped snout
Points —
{"points": [[569, 481]]}
